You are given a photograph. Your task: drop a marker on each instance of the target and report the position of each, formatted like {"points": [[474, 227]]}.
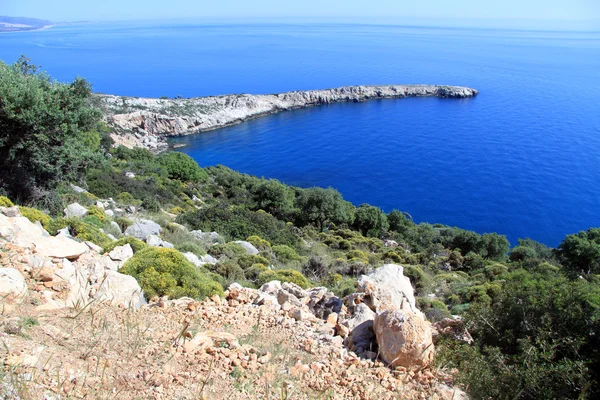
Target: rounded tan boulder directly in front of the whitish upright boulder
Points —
{"points": [[404, 338]]}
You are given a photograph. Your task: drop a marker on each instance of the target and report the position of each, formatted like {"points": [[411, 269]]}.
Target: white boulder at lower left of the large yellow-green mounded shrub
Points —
{"points": [[119, 289]]}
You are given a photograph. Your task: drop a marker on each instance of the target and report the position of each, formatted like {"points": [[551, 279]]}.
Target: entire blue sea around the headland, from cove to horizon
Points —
{"points": [[521, 159]]}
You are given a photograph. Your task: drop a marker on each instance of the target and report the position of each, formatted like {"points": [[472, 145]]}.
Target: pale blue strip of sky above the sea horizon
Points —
{"points": [[356, 10]]}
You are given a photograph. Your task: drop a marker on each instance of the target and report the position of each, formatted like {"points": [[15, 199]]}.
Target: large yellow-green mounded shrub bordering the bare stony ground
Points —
{"points": [[163, 272]]}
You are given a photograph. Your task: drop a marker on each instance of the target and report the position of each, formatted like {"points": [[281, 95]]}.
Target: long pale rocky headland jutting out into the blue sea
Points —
{"points": [[147, 122]]}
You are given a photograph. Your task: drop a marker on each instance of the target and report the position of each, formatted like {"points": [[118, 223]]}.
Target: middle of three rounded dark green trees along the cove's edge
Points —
{"points": [[318, 206]]}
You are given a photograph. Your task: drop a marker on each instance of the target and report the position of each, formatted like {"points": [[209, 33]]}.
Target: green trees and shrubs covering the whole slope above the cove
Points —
{"points": [[533, 311]]}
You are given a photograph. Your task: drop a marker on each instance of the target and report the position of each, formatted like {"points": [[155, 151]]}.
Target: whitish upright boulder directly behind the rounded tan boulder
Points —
{"points": [[387, 288]]}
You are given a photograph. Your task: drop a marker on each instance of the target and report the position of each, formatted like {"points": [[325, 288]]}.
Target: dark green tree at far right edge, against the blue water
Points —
{"points": [[580, 252]]}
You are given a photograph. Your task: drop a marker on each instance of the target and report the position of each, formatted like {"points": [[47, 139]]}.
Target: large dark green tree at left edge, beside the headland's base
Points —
{"points": [[44, 128]]}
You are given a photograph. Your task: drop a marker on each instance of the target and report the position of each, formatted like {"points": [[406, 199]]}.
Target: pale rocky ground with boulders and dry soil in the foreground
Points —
{"points": [[72, 326]]}
